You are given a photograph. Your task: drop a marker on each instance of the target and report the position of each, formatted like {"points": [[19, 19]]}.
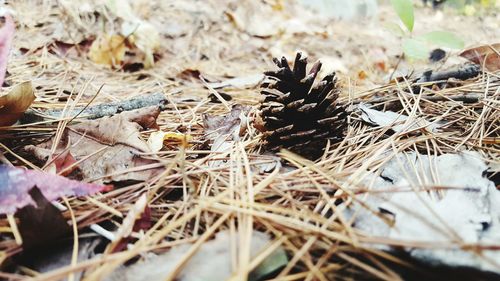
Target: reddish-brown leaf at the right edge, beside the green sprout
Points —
{"points": [[486, 55]]}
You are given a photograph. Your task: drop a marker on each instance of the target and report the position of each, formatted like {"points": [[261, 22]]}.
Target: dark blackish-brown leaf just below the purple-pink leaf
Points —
{"points": [[41, 224]]}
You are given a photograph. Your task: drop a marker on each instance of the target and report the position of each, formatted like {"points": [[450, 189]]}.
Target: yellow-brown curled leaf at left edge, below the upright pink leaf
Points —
{"points": [[15, 103]]}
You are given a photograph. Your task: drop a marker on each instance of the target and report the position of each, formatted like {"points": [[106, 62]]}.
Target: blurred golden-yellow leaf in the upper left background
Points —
{"points": [[108, 49]]}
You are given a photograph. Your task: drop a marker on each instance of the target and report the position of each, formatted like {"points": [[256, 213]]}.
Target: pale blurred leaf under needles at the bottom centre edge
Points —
{"points": [[211, 262]]}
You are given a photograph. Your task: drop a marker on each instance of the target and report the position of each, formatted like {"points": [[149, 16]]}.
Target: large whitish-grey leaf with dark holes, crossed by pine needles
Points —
{"points": [[464, 210]]}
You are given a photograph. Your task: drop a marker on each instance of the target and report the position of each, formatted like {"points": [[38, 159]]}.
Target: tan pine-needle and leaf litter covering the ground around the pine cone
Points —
{"points": [[216, 186]]}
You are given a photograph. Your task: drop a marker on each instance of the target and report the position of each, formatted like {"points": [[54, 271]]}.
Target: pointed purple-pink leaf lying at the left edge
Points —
{"points": [[15, 183]]}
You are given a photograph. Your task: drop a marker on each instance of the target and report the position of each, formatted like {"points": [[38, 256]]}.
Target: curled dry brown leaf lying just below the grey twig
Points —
{"points": [[107, 148]]}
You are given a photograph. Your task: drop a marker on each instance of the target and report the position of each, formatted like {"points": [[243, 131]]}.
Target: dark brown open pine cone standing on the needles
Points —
{"points": [[297, 116]]}
